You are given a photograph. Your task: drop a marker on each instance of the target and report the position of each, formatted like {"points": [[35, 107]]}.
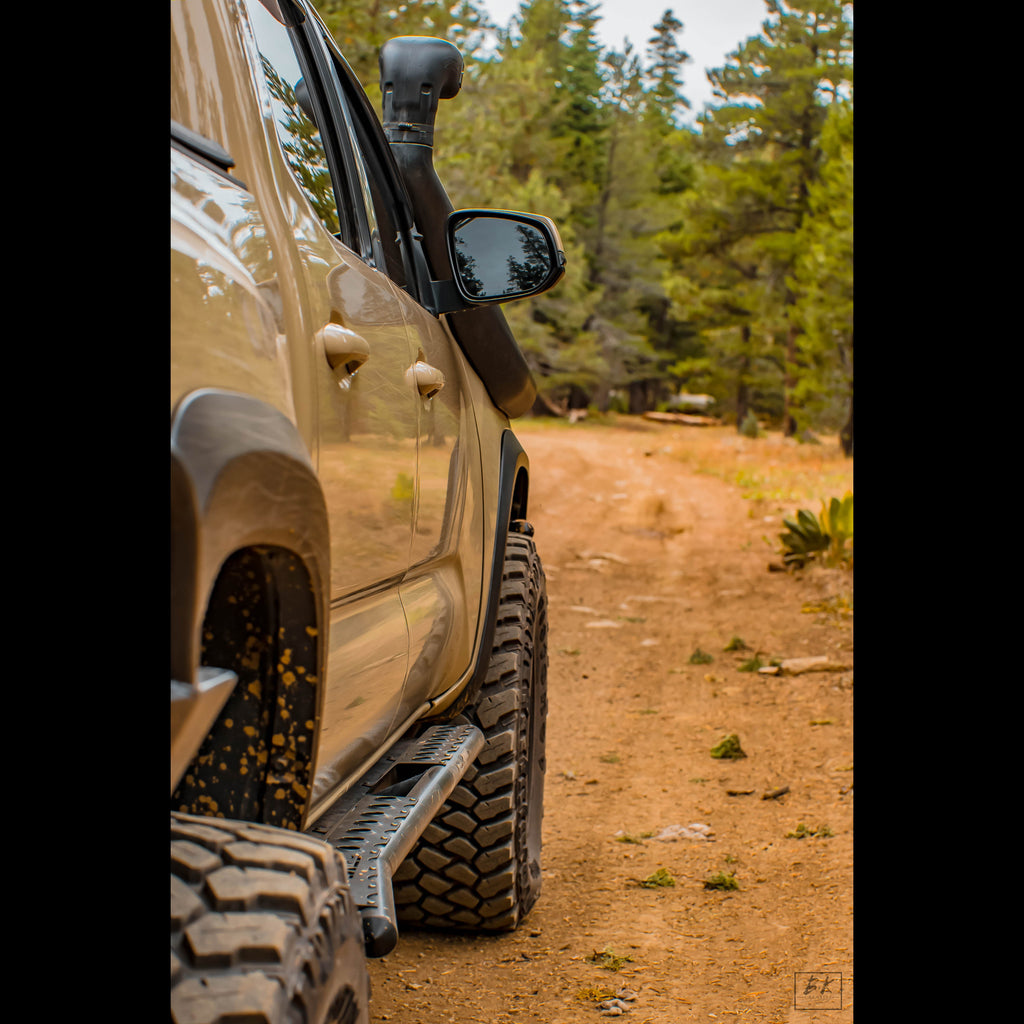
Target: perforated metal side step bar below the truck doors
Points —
{"points": [[377, 823]]}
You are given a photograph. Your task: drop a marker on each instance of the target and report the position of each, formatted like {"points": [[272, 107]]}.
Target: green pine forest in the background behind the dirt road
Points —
{"points": [[709, 252]]}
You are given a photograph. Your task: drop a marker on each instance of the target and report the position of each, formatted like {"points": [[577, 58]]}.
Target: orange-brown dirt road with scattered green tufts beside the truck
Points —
{"points": [[653, 541]]}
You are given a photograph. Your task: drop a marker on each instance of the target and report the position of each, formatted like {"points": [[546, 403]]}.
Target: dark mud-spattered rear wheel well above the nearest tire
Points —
{"points": [[261, 623]]}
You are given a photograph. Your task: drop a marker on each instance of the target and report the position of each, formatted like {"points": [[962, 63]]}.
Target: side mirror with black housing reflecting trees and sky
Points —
{"points": [[498, 255]]}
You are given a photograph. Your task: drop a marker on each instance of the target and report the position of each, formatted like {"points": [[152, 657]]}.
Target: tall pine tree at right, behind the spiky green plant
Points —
{"points": [[762, 155]]}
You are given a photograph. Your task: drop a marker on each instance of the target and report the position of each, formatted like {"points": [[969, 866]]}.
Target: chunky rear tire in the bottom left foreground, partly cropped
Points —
{"points": [[264, 928]]}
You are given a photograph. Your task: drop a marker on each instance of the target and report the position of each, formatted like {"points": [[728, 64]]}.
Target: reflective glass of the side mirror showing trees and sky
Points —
{"points": [[499, 258]]}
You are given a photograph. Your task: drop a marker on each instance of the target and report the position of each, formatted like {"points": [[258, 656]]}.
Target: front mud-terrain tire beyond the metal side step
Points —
{"points": [[478, 867]]}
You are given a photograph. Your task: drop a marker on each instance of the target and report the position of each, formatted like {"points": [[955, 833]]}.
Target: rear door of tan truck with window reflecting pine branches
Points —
{"points": [[356, 353]]}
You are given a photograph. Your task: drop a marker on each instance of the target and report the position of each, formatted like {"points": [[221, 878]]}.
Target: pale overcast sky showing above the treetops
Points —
{"points": [[711, 30]]}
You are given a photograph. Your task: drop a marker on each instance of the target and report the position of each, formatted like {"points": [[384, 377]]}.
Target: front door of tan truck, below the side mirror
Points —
{"points": [[442, 592]]}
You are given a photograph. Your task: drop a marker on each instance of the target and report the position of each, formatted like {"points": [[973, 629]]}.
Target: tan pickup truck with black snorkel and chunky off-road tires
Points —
{"points": [[359, 613]]}
